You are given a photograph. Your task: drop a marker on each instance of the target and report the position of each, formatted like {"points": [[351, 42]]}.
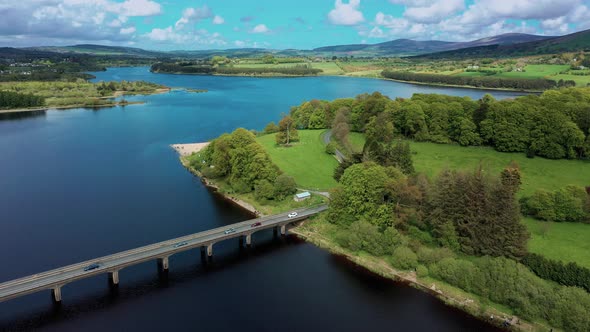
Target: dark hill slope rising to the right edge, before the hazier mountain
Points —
{"points": [[578, 41]]}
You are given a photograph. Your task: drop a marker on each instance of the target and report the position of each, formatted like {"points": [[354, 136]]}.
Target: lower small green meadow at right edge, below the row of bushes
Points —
{"points": [[568, 242]]}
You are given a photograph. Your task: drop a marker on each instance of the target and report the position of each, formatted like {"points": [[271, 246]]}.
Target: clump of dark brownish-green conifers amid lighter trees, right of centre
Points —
{"points": [[479, 211]]}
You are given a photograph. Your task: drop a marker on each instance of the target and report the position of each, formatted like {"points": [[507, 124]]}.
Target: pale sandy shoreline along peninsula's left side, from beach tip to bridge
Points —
{"points": [[196, 147]]}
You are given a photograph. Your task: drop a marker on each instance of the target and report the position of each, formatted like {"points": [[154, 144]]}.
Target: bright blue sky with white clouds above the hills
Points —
{"points": [[277, 24]]}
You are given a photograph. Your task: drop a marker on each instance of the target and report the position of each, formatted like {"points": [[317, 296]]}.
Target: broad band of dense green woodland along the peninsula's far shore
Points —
{"points": [[553, 125]]}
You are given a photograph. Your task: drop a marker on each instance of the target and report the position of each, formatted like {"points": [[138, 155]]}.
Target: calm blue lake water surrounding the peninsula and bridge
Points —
{"points": [[79, 184]]}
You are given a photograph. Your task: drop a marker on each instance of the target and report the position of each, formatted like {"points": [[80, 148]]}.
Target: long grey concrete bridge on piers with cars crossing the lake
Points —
{"points": [[55, 279]]}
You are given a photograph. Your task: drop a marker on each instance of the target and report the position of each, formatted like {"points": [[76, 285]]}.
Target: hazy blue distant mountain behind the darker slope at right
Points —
{"points": [[405, 47]]}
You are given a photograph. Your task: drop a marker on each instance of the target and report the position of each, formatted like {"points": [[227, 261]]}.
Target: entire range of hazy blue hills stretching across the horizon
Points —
{"points": [[510, 44]]}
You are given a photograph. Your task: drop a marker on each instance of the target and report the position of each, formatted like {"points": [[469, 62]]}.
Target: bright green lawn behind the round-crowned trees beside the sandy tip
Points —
{"points": [[306, 160]]}
